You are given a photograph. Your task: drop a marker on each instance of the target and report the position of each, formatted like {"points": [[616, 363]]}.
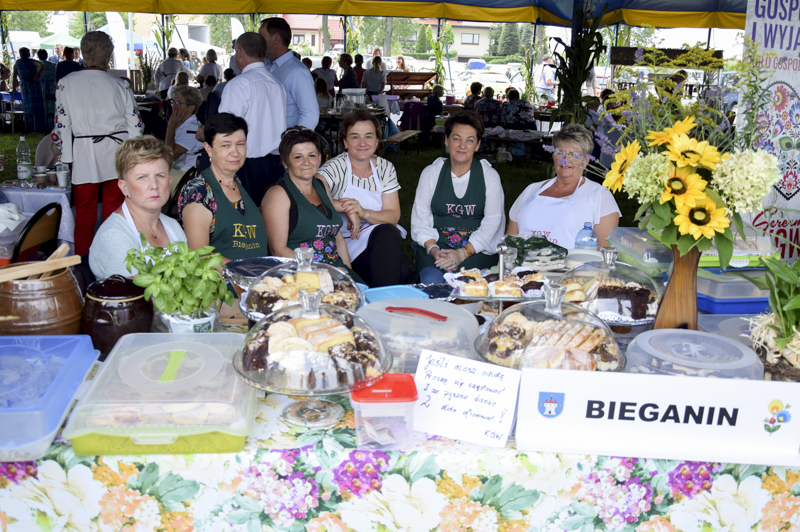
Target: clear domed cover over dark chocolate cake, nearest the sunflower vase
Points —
{"points": [[618, 293]]}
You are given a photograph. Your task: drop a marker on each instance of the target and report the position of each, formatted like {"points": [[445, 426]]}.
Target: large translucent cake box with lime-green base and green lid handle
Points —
{"points": [[165, 393]]}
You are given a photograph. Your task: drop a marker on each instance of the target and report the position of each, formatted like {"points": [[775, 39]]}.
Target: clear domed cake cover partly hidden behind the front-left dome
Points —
{"points": [[279, 286]]}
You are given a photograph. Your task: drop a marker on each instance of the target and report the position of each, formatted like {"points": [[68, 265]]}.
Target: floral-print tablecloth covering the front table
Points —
{"points": [[295, 479]]}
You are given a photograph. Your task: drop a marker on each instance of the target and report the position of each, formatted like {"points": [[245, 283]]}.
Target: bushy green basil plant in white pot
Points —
{"points": [[185, 285]]}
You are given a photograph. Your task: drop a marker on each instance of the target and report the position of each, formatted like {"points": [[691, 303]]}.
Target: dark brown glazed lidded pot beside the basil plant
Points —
{"points": [[113, 308]]}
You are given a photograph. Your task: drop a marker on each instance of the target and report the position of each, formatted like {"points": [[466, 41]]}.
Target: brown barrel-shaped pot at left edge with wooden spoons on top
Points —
{"points": [[40, 306]]}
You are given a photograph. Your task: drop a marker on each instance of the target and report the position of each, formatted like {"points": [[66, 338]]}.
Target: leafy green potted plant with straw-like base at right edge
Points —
{"points": [[776, 334]]}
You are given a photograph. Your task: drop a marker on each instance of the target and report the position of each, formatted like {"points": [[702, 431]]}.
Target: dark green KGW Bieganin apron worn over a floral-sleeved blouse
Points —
{"points": [[236, 235]]}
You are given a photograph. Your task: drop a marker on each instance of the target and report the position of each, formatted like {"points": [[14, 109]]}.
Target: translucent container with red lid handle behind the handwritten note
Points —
{"points": [[407, 326]]}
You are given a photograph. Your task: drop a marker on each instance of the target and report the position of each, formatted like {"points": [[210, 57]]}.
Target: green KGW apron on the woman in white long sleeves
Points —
{"points": [[457, 218]]}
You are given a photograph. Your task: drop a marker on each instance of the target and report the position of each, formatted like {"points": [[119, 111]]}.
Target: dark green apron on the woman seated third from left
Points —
{"points": [[314, 229]]}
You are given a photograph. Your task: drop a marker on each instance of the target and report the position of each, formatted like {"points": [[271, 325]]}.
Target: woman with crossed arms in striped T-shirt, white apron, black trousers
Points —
{"points": [[364, 189]]}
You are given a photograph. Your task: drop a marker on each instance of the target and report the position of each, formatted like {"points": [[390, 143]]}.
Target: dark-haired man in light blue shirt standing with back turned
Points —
{"points": [[301, 101]]}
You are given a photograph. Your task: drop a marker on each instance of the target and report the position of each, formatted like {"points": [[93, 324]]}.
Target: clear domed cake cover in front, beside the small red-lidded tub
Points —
{"points": [[313, 349]]}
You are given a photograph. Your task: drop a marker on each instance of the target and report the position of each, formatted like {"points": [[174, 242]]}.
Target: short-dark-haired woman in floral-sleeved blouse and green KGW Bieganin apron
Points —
{"points": [[215, 208]]}
